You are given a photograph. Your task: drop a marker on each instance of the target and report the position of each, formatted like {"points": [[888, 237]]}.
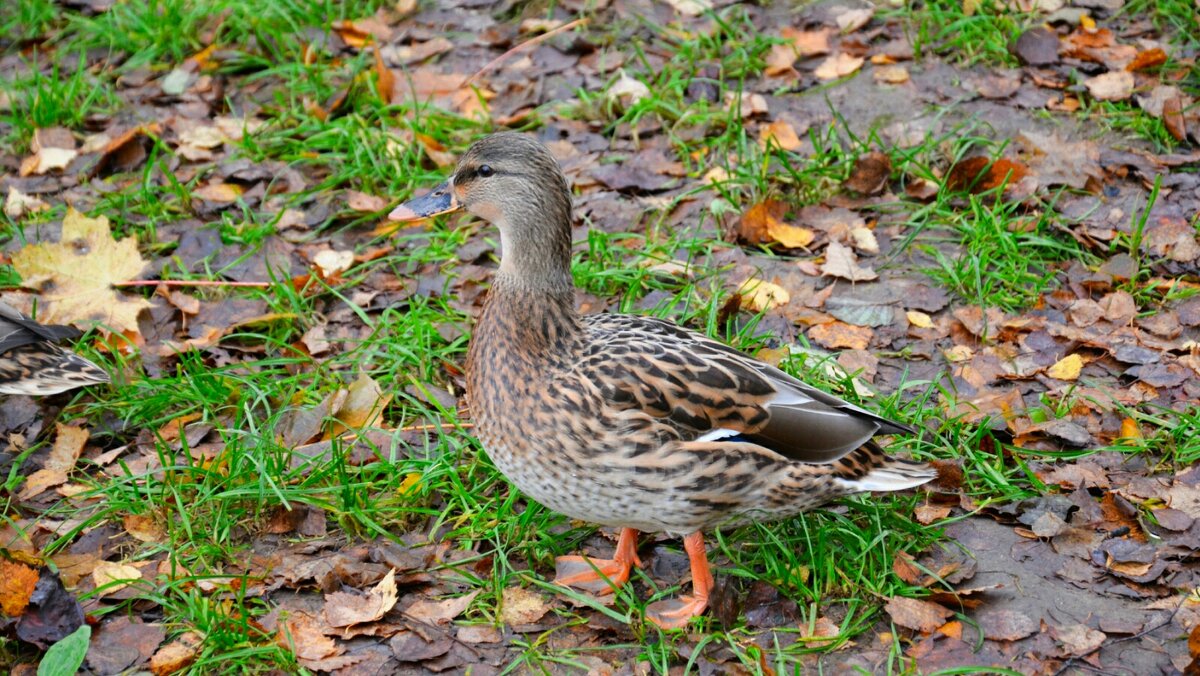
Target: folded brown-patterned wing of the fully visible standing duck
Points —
{"points": [[711, 392]]}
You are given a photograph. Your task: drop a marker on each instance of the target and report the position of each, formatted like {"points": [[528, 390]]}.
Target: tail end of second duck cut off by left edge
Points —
{"points": [[32, 362]]}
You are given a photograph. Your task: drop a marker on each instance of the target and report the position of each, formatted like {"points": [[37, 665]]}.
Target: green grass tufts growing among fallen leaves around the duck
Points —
{"points": [[211, 502]]}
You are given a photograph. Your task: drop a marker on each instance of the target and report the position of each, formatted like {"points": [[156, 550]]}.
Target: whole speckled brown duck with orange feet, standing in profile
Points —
{"points": [[635, 422]]}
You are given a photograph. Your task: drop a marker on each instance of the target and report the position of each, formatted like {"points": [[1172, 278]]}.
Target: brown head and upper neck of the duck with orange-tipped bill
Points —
{"points": [[513, 182]]}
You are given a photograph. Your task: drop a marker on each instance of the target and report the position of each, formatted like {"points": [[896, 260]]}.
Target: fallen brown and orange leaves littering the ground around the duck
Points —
{"points": [[1114, 536]]}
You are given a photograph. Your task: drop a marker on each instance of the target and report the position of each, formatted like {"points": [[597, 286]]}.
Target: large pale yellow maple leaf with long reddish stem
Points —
{"points": [[75, 277]]}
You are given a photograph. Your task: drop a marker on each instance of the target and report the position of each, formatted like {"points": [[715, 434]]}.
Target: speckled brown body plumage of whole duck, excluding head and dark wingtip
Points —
{"points": [[577, 412]]}
